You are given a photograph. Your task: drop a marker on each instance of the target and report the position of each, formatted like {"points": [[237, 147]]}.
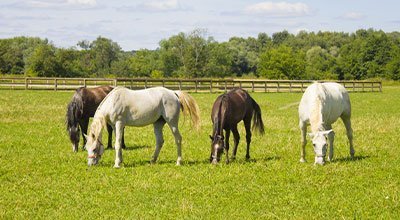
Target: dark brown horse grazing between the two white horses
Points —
{"points": [[228, 110]]}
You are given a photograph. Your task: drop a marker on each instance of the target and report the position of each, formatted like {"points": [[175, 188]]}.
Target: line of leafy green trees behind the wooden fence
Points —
{"points": [[364, 54]]}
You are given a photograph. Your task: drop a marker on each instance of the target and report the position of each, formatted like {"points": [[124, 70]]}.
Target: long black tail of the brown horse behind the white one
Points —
{"points": [[74, 113]]}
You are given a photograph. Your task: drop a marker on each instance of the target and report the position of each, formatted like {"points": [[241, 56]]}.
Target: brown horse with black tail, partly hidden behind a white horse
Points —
{"points": [[83, 105]]}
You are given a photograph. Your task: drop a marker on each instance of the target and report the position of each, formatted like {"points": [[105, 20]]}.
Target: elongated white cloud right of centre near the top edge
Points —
{"points": [[278, 9]]}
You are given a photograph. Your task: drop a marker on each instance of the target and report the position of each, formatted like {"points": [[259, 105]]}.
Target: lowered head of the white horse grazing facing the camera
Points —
{"points": [[320, 144]]}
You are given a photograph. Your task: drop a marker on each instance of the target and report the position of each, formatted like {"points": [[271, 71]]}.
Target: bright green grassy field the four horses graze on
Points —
{"points": [[40, 176]]}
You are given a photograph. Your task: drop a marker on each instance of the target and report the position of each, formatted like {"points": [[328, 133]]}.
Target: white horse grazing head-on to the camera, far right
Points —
{"points": [[321, 105]]}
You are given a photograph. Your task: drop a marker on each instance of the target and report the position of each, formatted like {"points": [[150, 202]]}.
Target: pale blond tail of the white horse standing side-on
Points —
{"points": [[189, 107]]}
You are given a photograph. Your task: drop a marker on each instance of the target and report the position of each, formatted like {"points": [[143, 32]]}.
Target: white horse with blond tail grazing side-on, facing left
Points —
{"points": [[123, 107]]}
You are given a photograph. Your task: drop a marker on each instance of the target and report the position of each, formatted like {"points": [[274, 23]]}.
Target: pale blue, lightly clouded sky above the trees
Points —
{"points": [[140, 24]]}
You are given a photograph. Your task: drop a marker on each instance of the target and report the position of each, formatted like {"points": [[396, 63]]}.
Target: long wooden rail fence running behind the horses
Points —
{"points": [[191, 85]]}
